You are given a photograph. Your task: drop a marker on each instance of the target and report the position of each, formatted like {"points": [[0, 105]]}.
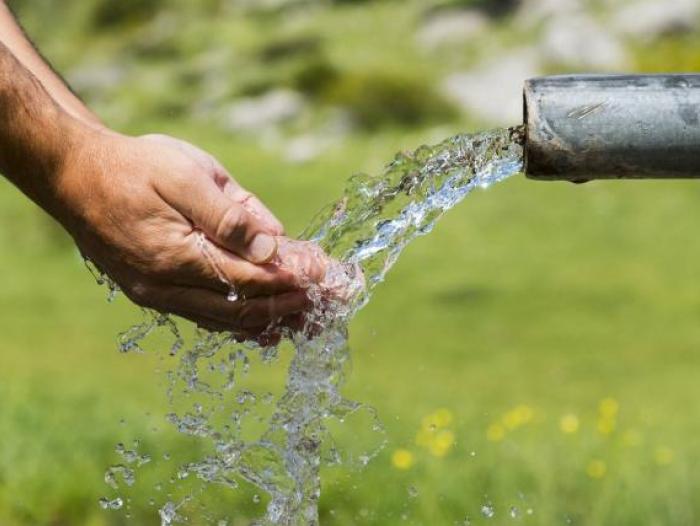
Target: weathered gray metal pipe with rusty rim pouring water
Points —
{"points": [[586, 127]]}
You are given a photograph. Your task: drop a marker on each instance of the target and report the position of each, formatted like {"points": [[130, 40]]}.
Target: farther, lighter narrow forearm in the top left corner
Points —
{"points": [[14, 38]]}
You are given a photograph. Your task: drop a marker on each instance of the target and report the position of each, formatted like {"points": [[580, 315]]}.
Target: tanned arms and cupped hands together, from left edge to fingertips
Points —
{"points": [[137, 206]]}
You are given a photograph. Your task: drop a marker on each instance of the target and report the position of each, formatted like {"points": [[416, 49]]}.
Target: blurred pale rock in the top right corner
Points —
{"points": [[650, 19]]}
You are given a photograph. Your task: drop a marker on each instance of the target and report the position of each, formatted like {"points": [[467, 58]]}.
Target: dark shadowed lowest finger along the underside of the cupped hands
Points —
{"points": [[235, 315]]}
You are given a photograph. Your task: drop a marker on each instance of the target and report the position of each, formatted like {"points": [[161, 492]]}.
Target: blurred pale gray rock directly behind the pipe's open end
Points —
{"points": [[493, 91]]}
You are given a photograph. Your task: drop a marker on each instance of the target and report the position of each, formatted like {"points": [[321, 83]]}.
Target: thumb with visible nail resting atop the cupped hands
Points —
{"points": [[225, 222]]}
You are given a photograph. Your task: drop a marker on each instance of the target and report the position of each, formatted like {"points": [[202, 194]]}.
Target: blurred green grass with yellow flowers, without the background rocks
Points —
{"points": [[535, 358]]}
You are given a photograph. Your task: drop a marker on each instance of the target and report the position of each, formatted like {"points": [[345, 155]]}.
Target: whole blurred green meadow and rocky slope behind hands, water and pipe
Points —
{"points": [[535, 359]]}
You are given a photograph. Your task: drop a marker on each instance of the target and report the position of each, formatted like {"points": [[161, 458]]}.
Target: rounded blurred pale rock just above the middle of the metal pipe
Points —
{"points": [[579, 40]]}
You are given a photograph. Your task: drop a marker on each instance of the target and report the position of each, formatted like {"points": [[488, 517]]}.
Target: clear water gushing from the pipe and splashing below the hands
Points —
{"points": [[278, 444]]}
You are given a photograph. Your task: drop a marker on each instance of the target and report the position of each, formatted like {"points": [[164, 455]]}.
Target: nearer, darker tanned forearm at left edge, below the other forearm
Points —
{"points": [[36, 134]]}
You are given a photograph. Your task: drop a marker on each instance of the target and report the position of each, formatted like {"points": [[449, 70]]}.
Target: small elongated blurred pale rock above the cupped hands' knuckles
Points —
{"points": [[266, 111]]}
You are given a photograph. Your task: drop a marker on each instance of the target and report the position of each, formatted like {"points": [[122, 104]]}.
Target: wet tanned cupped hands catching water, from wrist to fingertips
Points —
{"points": [[167, 223]]}
